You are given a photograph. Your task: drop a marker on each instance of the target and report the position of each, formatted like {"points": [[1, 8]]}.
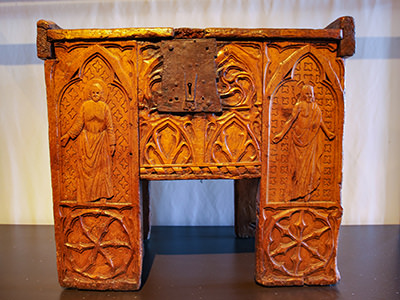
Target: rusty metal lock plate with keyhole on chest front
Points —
{"points": [[189, 76]]}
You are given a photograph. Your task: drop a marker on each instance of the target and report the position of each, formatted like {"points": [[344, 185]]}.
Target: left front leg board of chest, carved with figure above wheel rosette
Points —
{"points": [[92, 105]]}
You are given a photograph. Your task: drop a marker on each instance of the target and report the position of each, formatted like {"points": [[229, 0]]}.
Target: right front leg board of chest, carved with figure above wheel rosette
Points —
{"points": [[300, 194]]}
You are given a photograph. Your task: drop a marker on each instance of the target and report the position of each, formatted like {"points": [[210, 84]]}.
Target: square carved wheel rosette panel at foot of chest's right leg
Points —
{"points": [[299, 244]]}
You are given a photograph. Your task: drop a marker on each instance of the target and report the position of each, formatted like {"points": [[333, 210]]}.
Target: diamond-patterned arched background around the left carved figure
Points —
{"points": [[96, 66]]}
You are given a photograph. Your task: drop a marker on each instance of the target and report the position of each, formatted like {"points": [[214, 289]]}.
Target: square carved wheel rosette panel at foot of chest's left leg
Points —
{"points": [[98, 247]]}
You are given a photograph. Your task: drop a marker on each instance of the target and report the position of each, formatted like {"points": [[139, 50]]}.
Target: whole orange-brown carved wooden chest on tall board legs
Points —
{"points": [[261, 106]]}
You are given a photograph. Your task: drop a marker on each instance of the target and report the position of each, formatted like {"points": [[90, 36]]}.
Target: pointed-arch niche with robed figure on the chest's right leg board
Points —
{"points": [[302, 68]]}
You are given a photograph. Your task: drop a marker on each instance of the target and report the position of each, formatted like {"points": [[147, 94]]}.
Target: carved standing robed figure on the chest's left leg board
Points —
{"points": [[94, 128]]}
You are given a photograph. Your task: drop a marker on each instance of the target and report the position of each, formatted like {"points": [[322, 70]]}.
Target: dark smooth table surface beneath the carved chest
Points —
{"points": [[203, 263]]}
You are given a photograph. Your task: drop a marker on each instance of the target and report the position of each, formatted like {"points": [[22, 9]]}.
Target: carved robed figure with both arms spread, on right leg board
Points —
{"points": [[305, 143]]}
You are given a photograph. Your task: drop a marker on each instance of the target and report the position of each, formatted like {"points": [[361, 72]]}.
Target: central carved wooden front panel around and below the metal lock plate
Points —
{"points": [[197, 146]]}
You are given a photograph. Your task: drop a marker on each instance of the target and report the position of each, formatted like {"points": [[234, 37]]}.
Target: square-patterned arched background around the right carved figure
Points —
{"points": [[303, 67]]}
